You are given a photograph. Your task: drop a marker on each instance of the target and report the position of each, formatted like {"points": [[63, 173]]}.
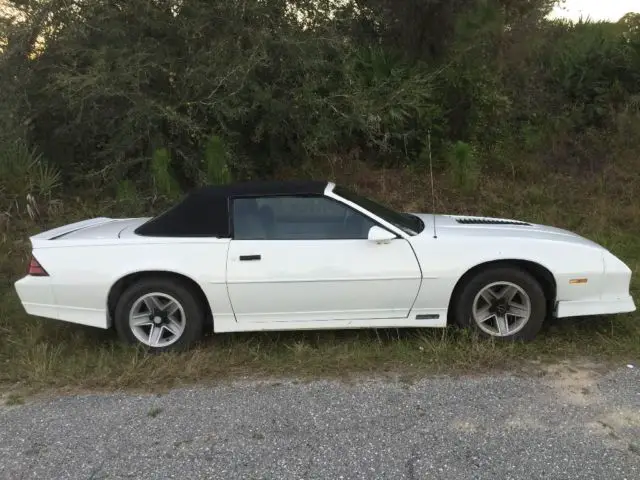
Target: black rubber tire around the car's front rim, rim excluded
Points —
{"points": [[463, 303]]}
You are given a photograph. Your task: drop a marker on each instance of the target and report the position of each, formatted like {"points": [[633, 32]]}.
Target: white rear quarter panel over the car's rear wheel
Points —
{"points": [[83, 272]]}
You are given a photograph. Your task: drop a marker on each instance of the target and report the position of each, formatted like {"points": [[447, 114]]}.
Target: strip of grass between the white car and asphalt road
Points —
{"points": [[42, 354]]}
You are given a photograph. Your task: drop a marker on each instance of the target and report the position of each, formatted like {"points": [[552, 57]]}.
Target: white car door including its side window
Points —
{"points": [[306, 258]]}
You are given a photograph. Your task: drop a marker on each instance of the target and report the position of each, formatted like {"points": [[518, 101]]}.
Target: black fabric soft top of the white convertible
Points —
{"points": [[204, 212]]}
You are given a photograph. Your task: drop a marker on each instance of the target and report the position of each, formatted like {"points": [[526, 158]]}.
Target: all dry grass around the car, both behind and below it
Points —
{"points": [[37, 354]]}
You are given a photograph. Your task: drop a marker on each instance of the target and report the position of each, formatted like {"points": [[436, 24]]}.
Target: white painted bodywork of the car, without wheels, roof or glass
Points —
{"points": [[316, 284]]}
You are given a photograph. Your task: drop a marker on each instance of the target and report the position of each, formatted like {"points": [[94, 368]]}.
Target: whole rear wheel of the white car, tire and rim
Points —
{"points": [[160, 313]]}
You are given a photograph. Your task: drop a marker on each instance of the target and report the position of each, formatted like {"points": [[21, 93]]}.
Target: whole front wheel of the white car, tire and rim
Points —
{"points": [[506, 303]]}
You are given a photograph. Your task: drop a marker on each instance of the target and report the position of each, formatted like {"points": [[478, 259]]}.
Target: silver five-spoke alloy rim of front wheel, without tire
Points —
{"points": [[501, 309]]}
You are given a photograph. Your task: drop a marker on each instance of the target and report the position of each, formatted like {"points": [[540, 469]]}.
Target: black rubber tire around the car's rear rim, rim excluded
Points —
{"points": [[194, 312]]}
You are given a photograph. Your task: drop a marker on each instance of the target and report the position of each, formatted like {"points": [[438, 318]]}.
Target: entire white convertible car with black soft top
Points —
{"points": [[313, 255]]}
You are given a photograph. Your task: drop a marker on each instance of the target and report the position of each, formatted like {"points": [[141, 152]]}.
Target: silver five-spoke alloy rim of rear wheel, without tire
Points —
{"points": [[157, 319]]}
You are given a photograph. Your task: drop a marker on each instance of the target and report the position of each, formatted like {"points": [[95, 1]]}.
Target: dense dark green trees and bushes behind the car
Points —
{"points": [[165, 94]]}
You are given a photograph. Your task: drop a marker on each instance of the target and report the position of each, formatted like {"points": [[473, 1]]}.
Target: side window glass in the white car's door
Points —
{"points": [[297, 218]]}
